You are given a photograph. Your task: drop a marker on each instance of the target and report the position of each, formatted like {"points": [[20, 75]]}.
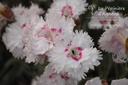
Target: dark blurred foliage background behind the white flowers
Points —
{"points": [[17, 72]]}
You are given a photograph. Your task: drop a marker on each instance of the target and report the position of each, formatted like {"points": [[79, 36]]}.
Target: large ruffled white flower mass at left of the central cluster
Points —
{"points": [[28, 37]]}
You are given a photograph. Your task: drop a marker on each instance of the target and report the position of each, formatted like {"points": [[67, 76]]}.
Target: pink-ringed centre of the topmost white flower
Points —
{"points": [[67, 11]]}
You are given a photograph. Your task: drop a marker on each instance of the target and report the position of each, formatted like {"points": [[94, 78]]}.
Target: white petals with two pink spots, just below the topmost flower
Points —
{"points": [[58, 25]]}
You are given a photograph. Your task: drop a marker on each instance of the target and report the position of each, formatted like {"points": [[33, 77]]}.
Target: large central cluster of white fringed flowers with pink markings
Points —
{"points": [[32, 38]]}
